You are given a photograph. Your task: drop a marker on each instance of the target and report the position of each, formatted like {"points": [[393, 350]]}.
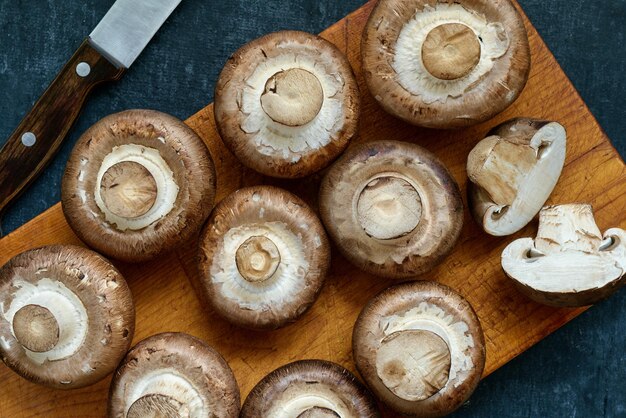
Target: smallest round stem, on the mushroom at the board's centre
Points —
{"points": [[257, 259]]}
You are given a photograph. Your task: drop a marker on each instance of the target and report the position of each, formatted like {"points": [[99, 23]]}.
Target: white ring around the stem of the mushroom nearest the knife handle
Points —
{"points": [[167, 189]]}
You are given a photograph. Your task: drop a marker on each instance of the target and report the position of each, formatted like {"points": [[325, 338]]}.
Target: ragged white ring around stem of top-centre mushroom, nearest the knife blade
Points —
{"points": [[290, 142]]}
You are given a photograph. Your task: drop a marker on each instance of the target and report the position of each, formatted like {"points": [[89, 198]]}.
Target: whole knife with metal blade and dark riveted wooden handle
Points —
{"points": [[105, 55]]}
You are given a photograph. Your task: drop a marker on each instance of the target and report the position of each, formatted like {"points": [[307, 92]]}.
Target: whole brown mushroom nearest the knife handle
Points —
{"points": [[137, 184]]}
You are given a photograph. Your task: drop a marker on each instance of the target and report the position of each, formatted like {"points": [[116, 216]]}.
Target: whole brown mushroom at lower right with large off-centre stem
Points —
{"points": [[420, 348]]}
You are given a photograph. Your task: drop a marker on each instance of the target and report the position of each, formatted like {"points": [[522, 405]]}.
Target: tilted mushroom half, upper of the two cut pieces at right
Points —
{"points": [[513, 171]]}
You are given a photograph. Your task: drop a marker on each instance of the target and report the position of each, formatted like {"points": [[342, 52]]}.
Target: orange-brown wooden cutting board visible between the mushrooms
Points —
{"points": [[163, 289]]}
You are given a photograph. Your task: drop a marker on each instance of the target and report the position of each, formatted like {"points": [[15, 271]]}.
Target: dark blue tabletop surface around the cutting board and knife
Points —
{"points": [[578, 371]]}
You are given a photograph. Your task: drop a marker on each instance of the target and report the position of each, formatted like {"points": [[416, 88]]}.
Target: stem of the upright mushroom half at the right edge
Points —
{"points": [[568, 228]]}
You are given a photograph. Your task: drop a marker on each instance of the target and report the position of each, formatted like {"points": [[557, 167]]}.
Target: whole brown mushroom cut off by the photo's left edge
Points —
{"points": [[66, 316]]}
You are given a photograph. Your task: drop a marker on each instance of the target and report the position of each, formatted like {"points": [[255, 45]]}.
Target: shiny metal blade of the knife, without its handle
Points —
{"points": [[128, 27]]}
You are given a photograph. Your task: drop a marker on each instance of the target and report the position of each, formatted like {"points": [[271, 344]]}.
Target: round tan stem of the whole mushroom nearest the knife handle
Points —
{"points": [[128, 189]]}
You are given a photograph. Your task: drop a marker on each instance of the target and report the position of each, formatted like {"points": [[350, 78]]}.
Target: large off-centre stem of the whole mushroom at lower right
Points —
{"points": [[414, 364]]}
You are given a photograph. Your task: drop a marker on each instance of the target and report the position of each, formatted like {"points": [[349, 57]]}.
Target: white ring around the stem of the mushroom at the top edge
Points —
{"points": [[409, 66]]}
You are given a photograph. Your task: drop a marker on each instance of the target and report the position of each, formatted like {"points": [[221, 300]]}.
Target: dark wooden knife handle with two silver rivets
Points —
{"points": [[39, 135]]}
